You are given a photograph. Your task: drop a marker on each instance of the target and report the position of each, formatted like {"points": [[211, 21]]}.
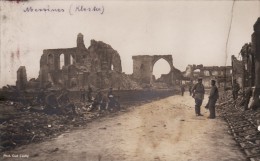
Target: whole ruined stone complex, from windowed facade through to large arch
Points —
{"points": [[99, 65]]}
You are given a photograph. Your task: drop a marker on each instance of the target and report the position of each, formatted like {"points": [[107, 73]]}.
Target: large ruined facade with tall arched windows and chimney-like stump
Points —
{"points": [[72, 67]]}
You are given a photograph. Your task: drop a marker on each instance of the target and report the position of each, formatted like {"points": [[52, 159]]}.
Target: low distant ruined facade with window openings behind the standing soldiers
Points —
{"points": [[222, 74]]}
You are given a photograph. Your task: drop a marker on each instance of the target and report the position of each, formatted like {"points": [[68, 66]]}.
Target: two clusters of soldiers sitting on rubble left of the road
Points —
{"points": [[56, 103]]}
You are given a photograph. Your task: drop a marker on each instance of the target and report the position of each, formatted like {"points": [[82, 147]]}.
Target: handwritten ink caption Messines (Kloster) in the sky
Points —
{"points": [[71, 9]]}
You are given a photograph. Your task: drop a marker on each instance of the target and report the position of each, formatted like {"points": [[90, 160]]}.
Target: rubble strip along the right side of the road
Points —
{"points": [[243, 125]]}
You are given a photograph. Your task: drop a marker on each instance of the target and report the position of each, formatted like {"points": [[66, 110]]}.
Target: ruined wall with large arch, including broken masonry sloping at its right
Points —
{"points": [[143, 68]]}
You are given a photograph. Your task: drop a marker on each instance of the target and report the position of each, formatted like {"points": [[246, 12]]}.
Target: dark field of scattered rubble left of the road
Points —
{"points": [[22, 126]]}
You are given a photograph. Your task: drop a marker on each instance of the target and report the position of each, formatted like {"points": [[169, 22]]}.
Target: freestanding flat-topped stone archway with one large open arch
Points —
{"points": [[143, 66]]}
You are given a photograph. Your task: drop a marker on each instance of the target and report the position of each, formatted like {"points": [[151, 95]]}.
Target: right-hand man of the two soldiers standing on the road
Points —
{"points": [[213, 97]]}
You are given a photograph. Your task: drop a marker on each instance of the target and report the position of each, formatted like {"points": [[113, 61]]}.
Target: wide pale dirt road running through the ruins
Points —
{"points": [[164, 130]]}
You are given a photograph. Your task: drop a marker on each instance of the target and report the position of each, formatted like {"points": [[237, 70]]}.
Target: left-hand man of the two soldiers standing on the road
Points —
{"points": [[198, 94]]}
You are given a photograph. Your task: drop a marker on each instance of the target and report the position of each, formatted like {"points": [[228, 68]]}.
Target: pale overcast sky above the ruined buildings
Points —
{"points": [[193, 32]]}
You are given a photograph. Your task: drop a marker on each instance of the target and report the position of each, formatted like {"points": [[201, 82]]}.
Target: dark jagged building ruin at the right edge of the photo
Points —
{"points": [[247, 70]]}
